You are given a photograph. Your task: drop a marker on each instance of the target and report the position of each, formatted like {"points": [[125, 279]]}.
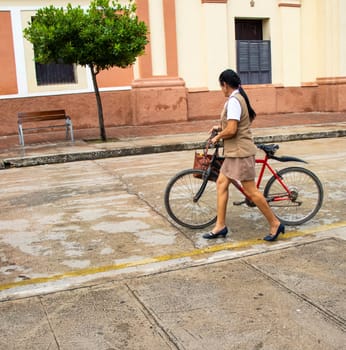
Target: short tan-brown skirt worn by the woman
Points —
{"points": [[242, 169]]}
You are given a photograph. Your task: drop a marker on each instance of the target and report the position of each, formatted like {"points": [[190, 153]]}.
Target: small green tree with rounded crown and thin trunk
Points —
{"points": [[103, 36]]}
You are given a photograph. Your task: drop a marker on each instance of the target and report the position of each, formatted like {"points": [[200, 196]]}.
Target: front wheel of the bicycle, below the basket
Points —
{"points": [[190, 201]]}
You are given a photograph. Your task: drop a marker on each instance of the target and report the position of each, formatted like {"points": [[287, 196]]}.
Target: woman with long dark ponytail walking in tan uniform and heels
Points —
{"points": [[239, 152]]}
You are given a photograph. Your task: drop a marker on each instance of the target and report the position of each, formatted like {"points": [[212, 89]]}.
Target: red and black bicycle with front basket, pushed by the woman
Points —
{"points": [[295, 194]]}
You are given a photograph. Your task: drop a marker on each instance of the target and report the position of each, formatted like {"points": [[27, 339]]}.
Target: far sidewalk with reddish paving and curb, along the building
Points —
{"points": [[125, 141]]}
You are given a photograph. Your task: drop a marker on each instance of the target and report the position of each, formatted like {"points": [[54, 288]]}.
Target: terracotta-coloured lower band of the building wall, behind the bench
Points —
{"points": [[167, 100]]}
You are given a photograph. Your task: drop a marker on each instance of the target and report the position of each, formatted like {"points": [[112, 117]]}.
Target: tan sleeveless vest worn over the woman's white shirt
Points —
{"points": [[241, 144]]}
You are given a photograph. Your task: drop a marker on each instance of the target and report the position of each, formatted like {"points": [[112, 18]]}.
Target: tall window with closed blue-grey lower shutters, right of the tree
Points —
{"points": [[253, 53]]}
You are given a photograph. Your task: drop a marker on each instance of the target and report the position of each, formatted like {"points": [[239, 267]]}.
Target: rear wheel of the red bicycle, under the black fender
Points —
{"points": [[305, 200]]}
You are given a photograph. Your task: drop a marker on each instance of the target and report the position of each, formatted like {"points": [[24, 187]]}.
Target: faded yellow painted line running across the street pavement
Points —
{"points": [[168, 257]]}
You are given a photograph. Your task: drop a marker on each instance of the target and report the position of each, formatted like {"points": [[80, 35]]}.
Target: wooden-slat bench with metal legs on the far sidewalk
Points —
{"points": [[35, 121]]}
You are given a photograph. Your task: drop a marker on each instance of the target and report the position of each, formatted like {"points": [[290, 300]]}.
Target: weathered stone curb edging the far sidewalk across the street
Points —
{"points": [[159, 148]]}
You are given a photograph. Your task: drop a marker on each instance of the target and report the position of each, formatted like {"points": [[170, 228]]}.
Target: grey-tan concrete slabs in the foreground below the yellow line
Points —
{"points": [[291, 298]]}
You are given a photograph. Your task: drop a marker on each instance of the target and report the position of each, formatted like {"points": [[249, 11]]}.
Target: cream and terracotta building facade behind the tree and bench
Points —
{"points": [[302, 67]]}
